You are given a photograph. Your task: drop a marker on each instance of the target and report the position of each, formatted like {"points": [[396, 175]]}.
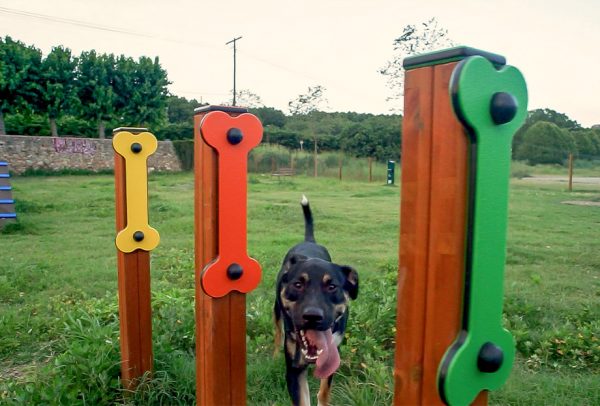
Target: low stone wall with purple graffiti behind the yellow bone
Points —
{"points": [[52, 153]]}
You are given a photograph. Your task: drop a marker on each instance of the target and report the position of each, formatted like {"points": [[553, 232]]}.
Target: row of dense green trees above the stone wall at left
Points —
{"points": [[81, 92]]}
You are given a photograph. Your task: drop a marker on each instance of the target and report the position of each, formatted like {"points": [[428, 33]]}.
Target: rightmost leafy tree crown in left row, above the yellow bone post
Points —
{"points": [[141, 89]]}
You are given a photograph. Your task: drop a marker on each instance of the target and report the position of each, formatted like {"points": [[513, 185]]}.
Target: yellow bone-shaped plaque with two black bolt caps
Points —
{"points": [[135, 149]]}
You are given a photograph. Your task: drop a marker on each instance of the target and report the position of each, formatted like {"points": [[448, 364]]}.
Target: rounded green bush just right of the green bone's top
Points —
{"points": [[545, 143]]}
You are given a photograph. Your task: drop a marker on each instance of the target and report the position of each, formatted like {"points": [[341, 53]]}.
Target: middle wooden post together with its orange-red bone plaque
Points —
{"points": [[220, 319]]}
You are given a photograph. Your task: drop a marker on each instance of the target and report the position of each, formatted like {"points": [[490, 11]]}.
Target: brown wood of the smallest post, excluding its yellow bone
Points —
{"points": [[135, 314]]}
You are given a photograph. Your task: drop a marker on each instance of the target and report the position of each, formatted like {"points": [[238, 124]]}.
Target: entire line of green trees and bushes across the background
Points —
{"points": [[87, 94]]}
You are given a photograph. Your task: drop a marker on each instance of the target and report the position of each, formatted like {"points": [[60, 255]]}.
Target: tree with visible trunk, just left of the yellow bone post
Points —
{"points": [[95, 78]]}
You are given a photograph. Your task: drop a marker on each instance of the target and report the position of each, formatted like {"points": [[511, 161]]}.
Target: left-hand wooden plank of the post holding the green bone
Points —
{"points": [[414, 236]]}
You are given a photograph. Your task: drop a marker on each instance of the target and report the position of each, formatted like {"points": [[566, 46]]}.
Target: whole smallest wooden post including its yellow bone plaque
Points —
{"points": [[134, 241]]}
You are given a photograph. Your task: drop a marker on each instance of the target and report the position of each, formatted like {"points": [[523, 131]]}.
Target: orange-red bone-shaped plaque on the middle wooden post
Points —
{"points": [[232, 138]]}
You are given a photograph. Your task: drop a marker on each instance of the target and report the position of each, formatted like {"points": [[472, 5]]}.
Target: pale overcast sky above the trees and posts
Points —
{"points": [[290, 45]]}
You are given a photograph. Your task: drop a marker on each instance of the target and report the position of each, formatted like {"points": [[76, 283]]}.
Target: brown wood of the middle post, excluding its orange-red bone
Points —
{"points": [[220, 321]]}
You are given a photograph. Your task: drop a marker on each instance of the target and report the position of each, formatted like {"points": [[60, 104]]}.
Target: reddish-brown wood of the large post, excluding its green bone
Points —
{"points": [[432, 234]]}
